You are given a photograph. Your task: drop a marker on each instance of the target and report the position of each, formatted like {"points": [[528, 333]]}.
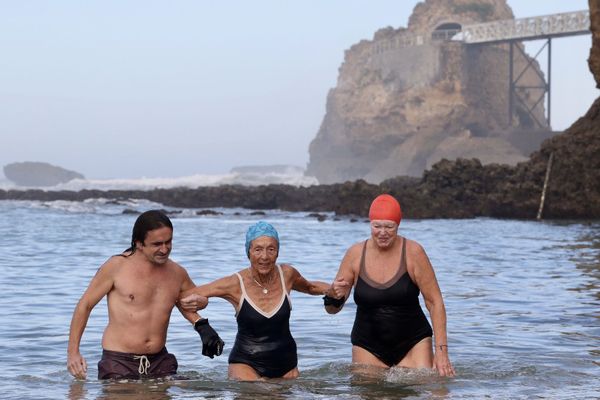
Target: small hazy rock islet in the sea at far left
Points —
{"points": [[38, 174]]}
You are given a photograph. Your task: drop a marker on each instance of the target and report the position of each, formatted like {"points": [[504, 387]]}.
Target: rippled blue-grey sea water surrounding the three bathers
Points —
{"points": [[523, 303]]}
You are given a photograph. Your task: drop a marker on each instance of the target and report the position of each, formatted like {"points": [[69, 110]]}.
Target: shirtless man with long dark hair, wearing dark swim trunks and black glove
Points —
{"points": [[142, 286]]}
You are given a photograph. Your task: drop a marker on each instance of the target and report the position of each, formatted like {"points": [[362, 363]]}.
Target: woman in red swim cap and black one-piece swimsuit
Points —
{"points": [[387, 272]]}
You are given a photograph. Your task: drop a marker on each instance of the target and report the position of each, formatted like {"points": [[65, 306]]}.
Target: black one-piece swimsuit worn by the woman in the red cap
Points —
{"points": [[389, 319]]}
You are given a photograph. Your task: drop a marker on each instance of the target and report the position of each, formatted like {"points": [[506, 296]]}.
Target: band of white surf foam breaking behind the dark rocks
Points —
{"points": [[289, 177]]}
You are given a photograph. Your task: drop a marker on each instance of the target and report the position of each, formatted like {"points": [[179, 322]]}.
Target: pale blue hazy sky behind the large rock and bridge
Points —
{"points": [[131, 89]]}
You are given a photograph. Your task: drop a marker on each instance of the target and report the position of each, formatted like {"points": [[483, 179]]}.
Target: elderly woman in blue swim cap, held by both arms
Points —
{"points": [[260, 294]]}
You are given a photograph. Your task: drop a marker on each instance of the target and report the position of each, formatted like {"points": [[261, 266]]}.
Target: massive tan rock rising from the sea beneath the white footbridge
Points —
{"points": [[408, 98]]}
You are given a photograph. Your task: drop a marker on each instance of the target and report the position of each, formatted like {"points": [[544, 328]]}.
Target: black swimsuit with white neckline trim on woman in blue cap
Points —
{"points": [[264, 341]]}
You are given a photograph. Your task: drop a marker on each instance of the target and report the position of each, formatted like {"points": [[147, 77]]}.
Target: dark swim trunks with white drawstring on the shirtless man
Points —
{"points": [[117, 365]]}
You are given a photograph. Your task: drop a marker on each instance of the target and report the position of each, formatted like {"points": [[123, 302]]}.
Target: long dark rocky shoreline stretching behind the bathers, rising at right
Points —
{"points": [[450, 189]]}
